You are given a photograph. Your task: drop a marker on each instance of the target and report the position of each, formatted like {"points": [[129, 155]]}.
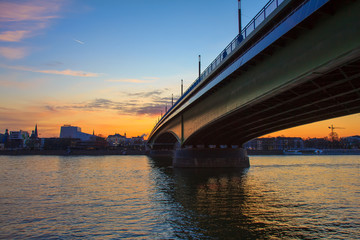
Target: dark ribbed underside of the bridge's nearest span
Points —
{"points": [[324, 96]]}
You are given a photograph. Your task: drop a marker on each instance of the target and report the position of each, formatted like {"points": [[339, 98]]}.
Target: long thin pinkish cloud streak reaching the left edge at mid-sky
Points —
{"points": [[66, 72]]}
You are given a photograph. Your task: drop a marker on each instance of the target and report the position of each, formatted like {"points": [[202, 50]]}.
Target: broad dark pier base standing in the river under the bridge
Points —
{"points": [[210, 158]]}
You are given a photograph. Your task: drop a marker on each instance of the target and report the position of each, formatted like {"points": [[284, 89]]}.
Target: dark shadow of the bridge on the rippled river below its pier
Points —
{"points": [[214, 203]]}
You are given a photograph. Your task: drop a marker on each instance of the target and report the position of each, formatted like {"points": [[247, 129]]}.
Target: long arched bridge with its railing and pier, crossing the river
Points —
{"points": [[296, 62]]}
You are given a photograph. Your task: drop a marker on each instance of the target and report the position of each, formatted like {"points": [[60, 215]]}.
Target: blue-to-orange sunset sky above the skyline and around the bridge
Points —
{"points": [[112, 66]]}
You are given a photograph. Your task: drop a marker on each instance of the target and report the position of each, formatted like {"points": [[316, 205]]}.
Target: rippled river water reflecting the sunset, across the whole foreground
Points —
{"points": [[137, 197]]}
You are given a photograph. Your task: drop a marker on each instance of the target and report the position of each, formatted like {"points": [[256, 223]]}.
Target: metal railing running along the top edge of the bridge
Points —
{"points": [[246, 31]]}
